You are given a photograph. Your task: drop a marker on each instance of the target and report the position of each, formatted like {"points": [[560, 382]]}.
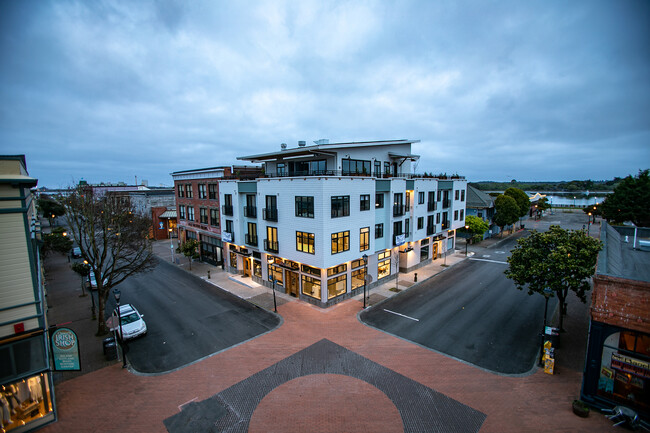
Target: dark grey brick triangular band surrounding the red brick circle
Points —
{"points": [[421, 409]]}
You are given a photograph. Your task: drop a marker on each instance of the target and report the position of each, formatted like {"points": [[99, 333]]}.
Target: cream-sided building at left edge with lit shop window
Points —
{"points": [[26, 386]]}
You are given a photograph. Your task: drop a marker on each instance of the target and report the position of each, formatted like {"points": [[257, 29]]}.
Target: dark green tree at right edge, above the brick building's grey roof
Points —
{"points": [[630, 201]]}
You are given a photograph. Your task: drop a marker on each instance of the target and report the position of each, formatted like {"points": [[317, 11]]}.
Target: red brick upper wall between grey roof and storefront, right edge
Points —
{"points": [[621, 302]]}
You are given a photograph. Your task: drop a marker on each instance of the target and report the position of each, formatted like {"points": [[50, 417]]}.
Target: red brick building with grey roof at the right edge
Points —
{"points": [[617, 368]]}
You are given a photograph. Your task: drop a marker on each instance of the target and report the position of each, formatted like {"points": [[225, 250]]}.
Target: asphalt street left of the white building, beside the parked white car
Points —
{"points": [[187, 319]]}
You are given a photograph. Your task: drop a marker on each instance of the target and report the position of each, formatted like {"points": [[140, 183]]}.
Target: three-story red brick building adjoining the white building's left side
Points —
{"points": [[197, 206]]}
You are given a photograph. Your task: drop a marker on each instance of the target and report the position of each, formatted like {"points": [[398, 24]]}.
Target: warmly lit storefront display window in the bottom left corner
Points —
{"points": [[24, 402]]}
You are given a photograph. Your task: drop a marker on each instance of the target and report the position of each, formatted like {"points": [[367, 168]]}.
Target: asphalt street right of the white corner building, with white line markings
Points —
{"points": [[471, 312]]}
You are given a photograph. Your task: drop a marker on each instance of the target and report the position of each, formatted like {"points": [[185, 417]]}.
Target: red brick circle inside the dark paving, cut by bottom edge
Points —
{"points": [[323, 403]]}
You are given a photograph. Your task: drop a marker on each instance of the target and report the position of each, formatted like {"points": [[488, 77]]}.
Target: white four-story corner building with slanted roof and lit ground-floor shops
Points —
{"points": [[323, 217]]}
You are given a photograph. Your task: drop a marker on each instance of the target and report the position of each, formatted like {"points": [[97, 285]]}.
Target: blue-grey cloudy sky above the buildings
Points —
{"points": [[530, 90]]}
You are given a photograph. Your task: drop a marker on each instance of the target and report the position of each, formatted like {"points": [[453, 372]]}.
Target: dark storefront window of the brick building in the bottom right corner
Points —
{"points": [[625, 369]]}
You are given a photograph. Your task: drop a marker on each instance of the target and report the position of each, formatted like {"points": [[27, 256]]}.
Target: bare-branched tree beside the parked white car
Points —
{"points": [[112, 238]]}
